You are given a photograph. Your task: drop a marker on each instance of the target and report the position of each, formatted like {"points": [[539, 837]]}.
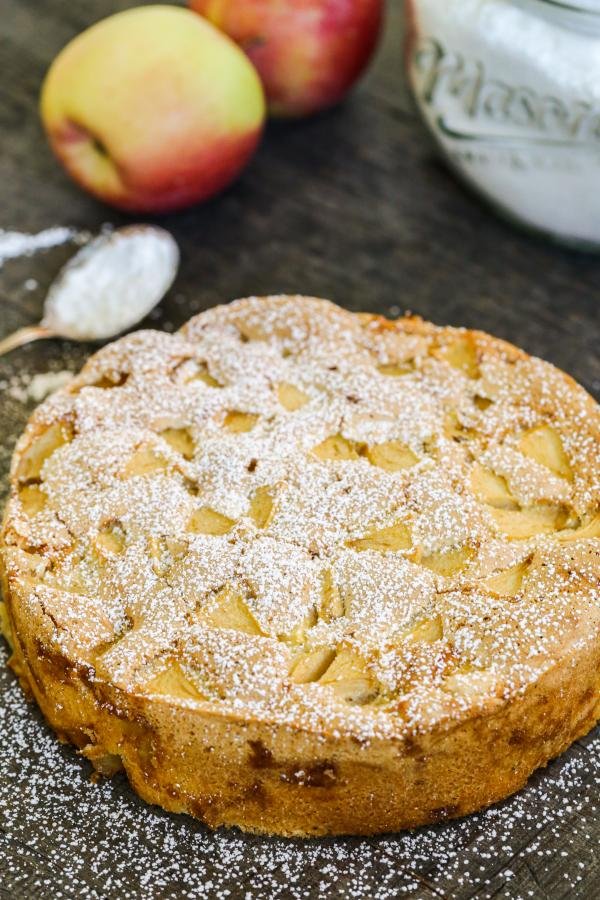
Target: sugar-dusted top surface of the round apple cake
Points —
{"points": [[373, 467]]}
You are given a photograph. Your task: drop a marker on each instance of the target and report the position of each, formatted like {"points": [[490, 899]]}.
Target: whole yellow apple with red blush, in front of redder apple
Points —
{"points": [[153, 109]]}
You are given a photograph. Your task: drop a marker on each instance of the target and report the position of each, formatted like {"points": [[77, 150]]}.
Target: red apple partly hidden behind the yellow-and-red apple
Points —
{"points": [[308, 52]]}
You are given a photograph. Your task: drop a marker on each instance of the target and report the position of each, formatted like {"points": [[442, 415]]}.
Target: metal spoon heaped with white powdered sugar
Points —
{"points": [[106, 287]]}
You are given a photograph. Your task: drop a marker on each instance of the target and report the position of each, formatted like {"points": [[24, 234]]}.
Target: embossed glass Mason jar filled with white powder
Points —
{"points": [[510, 90]]}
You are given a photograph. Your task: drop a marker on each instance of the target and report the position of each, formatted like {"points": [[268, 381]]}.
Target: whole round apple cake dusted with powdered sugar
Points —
{"points": [[310, 572]]}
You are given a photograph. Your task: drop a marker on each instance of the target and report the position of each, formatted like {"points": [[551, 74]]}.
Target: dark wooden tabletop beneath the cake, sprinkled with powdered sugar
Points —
{"points": [[352, 205]]}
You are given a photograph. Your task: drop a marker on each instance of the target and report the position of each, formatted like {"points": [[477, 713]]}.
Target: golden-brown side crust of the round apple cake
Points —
{"points": [[281, 780]]}
